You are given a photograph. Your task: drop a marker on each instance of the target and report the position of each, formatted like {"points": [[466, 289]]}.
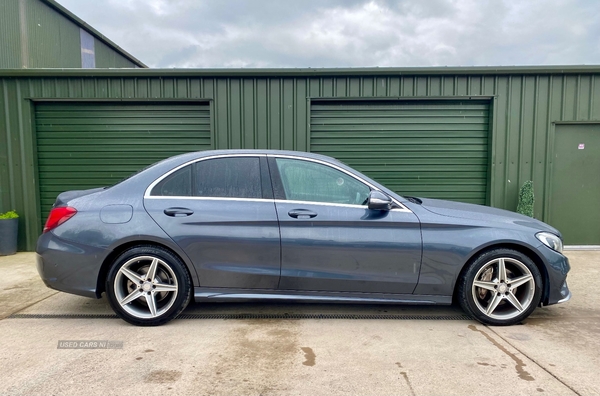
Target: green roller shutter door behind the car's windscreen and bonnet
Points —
{"points": [[434, 149]]}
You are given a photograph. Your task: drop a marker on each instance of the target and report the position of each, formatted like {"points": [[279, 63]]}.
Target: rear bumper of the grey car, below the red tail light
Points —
{"points": [[68, 266]]}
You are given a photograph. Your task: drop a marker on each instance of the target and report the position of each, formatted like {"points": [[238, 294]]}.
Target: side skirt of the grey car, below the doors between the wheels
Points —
{"points": [[222, 294]]}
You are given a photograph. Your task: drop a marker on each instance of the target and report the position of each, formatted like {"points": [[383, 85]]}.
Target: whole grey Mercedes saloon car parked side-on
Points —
{"points": [[262, 224]]}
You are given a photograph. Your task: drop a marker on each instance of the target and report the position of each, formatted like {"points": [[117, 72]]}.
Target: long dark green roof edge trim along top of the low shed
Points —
{"points": [[303, 72]]}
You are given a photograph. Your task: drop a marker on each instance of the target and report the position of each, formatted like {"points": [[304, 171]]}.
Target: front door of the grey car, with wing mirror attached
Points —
{"points": [[331, 241]]}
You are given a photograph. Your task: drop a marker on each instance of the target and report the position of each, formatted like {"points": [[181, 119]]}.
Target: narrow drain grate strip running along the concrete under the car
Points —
{"points": [[242, 316]]}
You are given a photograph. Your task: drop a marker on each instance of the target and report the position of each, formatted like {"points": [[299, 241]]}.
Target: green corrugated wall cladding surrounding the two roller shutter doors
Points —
{"points": [[272, 109]]}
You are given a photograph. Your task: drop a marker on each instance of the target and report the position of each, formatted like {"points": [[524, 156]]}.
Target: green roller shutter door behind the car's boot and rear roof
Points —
{"points": [[87, 145]]}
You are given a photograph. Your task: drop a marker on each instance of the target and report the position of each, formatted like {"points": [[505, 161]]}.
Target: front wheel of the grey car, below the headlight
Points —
{"points": [[500, 287]]}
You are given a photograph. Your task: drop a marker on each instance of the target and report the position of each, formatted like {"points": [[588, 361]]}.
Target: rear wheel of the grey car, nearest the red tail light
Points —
{"points": [[148, 286]]}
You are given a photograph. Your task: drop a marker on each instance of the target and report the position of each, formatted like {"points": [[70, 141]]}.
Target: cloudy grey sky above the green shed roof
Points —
{"points": [[348, 33]]}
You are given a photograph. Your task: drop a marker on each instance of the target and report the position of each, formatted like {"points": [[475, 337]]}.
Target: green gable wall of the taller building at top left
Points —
{"points": [[33, 35]]}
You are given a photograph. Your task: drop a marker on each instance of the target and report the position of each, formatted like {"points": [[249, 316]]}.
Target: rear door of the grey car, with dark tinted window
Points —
{"points": [[221, 212]]}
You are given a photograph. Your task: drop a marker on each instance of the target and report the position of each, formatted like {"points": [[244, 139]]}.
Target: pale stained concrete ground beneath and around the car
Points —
{"points": [[556, 351]]}
